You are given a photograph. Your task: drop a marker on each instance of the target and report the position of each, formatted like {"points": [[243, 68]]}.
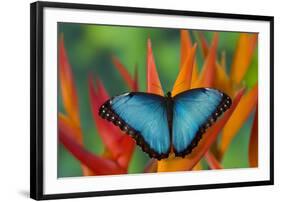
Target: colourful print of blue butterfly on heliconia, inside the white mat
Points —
{"points": [[146, 100]]}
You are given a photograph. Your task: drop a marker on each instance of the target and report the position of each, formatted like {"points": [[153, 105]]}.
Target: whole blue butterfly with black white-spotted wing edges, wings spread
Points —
{"points": [[161, 124]]}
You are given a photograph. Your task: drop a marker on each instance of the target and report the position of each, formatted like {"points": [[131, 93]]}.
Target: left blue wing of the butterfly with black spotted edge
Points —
{"points": [[144, 117]]}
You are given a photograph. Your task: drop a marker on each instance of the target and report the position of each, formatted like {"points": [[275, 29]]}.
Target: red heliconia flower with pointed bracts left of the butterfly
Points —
{"points": [[118, 147]]}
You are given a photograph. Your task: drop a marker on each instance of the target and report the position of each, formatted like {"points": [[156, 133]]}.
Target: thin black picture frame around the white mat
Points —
{"points": [[37, 101]]}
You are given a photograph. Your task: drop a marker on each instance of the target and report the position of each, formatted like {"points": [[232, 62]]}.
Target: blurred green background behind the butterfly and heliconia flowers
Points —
{"points": [[90, 49]]}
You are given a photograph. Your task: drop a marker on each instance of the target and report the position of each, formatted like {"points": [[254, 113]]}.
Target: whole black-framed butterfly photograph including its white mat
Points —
{"points": [[134, 100]]}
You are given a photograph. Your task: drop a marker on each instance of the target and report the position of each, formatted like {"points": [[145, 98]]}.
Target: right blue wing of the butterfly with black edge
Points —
{"points": [[194, 111]]}
